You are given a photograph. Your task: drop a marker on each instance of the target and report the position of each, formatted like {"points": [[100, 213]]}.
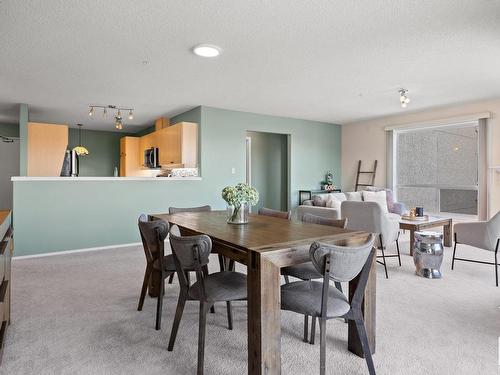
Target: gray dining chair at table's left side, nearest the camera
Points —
{"points": [[192, 252]]}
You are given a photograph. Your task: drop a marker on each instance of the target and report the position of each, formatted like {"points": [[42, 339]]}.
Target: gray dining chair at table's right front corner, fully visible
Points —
{"points": [[318, 299]]}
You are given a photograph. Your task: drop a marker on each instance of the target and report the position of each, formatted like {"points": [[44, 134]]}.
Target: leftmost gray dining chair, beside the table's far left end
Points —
{"points": [[153, 234]]}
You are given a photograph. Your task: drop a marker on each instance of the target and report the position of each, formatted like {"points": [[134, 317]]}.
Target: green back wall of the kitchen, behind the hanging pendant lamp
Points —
{"points": [[104, 151]]}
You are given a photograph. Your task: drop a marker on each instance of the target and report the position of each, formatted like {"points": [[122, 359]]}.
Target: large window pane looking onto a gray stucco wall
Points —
{"points": [[437, 168]]}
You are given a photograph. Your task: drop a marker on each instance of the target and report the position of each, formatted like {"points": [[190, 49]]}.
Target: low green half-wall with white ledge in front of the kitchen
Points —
{"points": [[71, 213]]}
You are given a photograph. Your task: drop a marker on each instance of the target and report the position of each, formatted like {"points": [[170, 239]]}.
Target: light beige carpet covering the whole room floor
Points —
{"points": [[76, 314]]}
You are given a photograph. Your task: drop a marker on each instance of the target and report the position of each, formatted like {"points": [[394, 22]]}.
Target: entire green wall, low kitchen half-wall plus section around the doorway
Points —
{"points": [[65, 215]]}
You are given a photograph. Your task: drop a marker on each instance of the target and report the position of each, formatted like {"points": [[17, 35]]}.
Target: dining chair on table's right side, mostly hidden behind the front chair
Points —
{"points": [[307, 271]]}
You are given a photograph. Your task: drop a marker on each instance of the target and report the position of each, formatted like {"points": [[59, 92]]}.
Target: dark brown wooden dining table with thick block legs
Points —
{"points": [[266, 244]]}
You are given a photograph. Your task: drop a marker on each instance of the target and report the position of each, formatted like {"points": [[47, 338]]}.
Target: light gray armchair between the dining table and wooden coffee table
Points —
{"points": [[369, 217]]}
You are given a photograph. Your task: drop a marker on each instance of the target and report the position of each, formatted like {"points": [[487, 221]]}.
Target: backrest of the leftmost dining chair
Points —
{"points": [[153, 234]]}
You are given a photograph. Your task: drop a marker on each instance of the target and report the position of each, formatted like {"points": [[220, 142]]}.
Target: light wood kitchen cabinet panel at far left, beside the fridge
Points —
{"points": [[47, 145]]}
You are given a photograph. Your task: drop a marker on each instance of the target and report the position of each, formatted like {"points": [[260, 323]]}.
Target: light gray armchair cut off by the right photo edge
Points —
{"points": [[481, 234]]}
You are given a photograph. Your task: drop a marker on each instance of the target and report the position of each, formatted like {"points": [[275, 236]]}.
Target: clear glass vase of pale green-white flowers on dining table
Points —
{"points": [[239, 198]]}
